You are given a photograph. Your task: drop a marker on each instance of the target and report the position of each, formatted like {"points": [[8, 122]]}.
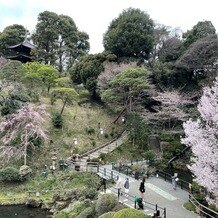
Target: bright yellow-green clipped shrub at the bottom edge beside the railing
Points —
{"points": [[129, 212]]}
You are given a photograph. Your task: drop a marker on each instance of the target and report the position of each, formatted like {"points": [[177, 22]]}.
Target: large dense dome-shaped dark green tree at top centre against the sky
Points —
{"points": [[130, 35]]}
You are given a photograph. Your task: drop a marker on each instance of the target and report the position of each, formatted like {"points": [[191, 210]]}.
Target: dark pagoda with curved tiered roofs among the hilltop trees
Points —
{"points": [[21, 52]]}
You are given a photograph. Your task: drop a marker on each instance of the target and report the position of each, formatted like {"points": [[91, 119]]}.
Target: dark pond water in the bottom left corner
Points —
{"points": [[22, 211]]}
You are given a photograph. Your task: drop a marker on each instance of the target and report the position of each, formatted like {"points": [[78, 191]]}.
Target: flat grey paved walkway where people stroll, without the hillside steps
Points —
{"points": [[157, 192]]}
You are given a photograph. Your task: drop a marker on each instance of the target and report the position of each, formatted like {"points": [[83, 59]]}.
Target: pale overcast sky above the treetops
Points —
{"points": [[94, 16]]}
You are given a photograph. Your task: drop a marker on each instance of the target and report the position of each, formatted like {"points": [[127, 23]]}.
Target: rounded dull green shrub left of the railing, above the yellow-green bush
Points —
{"points": [[105, 203]]}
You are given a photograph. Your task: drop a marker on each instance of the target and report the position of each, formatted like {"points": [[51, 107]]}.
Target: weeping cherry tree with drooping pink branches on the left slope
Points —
{"points": [[23, 127]]}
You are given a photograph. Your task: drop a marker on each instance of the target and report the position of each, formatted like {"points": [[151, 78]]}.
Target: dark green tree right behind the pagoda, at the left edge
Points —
{"points": [[11, 35]]}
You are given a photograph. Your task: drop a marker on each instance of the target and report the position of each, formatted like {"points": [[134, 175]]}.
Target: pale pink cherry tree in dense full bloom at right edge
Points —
{"points": [[202, 136]]}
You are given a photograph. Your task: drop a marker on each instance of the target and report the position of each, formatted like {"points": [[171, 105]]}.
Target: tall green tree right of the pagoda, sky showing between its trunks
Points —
{"points": [[58, 40]]}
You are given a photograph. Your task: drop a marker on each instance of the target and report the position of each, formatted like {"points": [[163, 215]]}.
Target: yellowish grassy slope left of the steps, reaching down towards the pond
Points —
{"points": [[76, 120]]}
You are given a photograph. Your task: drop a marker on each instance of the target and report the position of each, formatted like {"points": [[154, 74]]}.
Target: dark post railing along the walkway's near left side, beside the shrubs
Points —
{"points": [[112, 175]]}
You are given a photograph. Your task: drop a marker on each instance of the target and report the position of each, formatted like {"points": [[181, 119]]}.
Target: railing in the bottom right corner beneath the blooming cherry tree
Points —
{"points": [[203, 211]]}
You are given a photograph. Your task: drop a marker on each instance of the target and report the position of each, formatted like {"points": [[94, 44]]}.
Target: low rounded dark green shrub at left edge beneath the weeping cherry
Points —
{"points": [[9, 174]]}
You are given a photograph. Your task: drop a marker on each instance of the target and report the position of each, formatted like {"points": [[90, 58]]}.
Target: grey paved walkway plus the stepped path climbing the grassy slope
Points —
{"points": [[157, 192]]}
